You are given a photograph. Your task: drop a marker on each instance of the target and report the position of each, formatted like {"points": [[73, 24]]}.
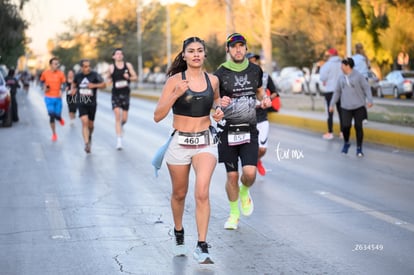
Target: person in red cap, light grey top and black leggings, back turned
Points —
{"points": [[329, 75]]}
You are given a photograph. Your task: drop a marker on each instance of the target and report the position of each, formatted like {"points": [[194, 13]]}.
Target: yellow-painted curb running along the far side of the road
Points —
{"points": [[378, 133]]}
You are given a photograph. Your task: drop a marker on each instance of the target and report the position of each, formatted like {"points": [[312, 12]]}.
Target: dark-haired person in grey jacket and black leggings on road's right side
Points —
{"points": [[355, 94]]}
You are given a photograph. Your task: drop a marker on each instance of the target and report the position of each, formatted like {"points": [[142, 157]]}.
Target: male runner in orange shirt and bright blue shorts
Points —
{"points": [[53, 80]]}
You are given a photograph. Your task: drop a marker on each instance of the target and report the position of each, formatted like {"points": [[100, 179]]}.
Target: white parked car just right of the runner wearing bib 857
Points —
{"points": [[290, 80]]}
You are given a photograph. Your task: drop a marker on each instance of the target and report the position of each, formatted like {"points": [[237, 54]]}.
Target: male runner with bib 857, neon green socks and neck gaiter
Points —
{"points": [[240, 86]]}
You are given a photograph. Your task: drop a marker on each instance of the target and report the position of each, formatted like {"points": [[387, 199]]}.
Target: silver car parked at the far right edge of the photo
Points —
{"points": [[397, 83]]}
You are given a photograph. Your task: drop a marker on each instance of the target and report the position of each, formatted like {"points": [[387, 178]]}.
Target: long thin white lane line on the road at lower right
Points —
{"points": [[367, 210]]}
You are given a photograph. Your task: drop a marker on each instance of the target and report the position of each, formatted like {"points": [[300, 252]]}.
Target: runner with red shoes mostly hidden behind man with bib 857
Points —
{"points": [[261, 114]]}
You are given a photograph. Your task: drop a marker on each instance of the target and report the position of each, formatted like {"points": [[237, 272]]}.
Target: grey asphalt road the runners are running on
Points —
{"points": [[316, 211]]}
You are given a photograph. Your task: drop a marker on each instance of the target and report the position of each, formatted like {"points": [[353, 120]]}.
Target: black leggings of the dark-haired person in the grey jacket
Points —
{"points": [[358, 115]]}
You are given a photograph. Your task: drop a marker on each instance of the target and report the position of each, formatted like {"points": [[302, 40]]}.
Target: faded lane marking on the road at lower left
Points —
{"points": [[57, 222]]}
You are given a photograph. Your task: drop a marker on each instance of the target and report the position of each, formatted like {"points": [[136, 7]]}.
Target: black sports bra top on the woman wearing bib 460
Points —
{"points": [[195, 104]]}
